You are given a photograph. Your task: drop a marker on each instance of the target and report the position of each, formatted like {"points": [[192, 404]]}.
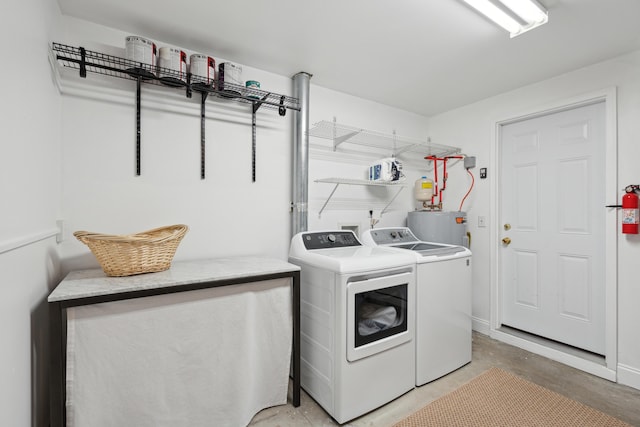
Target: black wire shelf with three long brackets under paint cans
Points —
{"points": [[100, 63]]}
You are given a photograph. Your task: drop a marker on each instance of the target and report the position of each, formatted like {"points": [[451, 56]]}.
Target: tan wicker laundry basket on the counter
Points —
{"points": [[126, 255]]}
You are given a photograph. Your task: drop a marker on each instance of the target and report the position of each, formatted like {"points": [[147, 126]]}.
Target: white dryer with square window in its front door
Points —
{"points": [[357, 322]]}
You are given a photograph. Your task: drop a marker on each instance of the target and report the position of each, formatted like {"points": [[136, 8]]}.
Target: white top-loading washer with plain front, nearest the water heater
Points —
{"points": [[443, 300]]}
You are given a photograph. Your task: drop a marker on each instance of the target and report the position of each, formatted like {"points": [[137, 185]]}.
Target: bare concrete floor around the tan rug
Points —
{"points": [[614, 399]]}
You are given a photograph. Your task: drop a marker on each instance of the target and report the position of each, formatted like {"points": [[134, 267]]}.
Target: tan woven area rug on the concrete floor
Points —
{"points": [[497, 398]]}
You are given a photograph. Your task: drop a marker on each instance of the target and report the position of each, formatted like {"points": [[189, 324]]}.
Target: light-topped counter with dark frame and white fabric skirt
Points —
{"points": [[204, 343]]}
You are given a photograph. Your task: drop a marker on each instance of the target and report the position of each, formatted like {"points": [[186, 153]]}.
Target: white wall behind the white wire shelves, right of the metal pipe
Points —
{"points": [[350, 205]]}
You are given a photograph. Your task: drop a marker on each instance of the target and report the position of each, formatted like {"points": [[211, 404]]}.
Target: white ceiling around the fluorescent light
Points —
{"points": [[424, 56]]}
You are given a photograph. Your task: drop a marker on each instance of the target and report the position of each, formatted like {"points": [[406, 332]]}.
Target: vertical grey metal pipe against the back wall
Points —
{"points": [[301, 154]]}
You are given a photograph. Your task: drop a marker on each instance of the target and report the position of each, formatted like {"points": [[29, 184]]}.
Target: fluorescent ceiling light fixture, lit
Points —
{"points": [[517, 16]]}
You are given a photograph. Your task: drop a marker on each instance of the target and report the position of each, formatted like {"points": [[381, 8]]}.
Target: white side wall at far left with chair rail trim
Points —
{"points": [[30, 190]]}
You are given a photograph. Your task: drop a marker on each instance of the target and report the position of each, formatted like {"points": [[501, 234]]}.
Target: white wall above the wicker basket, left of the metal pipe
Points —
{"points": [[227, 213]]}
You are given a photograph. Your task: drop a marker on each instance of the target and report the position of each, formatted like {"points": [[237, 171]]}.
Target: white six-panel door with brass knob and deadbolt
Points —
{"points": [[552, 198]]}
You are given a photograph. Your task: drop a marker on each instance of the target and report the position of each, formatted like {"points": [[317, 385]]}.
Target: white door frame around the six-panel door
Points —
{"points": [[608, 370]]}
